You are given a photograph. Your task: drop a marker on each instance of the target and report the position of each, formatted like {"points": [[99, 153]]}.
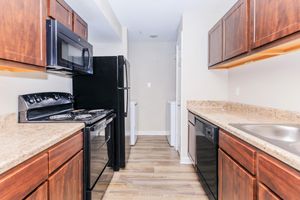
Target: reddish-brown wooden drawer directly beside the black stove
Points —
{"points": [[59, 154]]}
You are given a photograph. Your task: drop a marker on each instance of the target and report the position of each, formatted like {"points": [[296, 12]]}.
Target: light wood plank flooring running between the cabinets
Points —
{"points": [[155, 173]]}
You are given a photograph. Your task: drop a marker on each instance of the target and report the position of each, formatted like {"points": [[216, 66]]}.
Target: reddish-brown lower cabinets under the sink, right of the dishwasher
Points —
{"points": [[238, 160]]}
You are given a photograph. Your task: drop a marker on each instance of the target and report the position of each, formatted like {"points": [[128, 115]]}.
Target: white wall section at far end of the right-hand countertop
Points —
{"points": [[197, 82]]}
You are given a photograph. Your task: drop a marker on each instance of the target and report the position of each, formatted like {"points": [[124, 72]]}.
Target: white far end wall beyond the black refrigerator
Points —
{"points": [[152, 62]]}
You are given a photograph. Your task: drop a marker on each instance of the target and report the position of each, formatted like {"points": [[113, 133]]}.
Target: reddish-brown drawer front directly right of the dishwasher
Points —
{"points": [[244, 154]]}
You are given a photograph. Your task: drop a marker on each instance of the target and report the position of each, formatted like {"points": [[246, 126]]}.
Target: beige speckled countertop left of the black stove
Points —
{"points": [[19, 142]]}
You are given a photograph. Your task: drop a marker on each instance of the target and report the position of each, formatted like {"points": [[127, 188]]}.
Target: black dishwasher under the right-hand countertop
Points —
{"points": [[207, 136]]}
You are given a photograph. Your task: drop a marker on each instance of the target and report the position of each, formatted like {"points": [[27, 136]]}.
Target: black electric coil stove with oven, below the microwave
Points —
{"points": [[98, 133]]}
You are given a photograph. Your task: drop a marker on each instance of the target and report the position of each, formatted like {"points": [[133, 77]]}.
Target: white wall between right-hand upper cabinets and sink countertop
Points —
{"points": [[273, 82]]}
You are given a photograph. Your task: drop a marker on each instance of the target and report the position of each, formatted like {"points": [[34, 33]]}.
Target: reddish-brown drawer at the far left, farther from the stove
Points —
{"points": [[24, 179]]}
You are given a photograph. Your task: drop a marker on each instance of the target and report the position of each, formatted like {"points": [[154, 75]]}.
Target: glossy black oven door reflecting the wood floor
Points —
{"points": [[99, 140]]}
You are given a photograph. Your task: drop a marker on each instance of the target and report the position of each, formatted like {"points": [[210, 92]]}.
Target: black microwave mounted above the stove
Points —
{"points": [[67, 53]]}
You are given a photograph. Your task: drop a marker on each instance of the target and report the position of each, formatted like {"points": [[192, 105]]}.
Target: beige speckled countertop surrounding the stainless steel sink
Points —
{"points": [[223, 113]]}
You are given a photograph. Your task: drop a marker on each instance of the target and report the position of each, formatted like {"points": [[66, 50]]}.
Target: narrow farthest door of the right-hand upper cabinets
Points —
{"points": [[215, 44]]}
